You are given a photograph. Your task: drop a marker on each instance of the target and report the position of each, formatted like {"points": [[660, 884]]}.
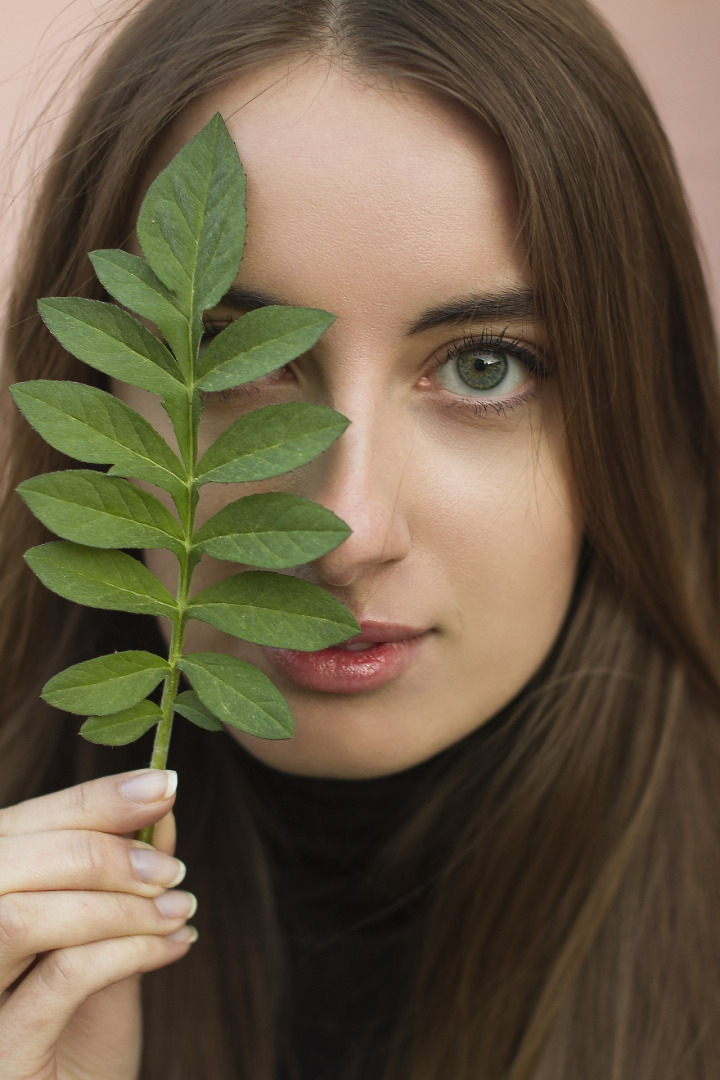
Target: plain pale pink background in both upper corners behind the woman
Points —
{"points": [[674, 44]]}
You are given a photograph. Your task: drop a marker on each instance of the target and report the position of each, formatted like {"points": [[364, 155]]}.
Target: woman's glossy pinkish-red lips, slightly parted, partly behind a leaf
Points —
{"points": [[335, 670]]}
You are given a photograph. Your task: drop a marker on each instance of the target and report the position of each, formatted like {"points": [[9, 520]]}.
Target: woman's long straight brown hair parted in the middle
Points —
{"points": [[572, 904]]}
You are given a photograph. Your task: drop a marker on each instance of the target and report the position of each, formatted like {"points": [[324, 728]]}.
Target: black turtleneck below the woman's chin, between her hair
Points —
{"points": [[349, 936]]}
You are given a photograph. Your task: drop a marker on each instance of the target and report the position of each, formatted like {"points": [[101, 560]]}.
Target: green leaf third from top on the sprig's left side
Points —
{"points": [[92, 426]]}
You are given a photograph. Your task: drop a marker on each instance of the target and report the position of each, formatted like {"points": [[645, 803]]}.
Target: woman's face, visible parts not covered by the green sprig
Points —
{"points": [[397, 212]]}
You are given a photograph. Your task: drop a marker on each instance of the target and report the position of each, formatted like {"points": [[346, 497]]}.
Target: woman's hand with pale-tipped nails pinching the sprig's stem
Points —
{"points": [[84, 913]]}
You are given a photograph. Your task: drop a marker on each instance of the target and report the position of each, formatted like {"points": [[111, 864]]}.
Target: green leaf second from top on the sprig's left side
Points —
{"points": [[107, 339]]}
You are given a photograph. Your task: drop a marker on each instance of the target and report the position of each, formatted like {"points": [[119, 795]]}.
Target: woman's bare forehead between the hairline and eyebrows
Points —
{"points": [[381, 184]]}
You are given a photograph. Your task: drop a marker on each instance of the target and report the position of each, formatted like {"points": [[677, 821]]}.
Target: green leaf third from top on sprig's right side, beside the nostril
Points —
{"points": [[274, 531]]}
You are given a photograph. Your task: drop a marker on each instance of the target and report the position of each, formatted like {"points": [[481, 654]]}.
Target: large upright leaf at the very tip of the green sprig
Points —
{"points": [[192, 225]]}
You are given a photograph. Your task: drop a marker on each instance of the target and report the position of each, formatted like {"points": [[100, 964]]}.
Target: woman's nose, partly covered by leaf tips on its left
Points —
{"points": [[365, 480]]}
